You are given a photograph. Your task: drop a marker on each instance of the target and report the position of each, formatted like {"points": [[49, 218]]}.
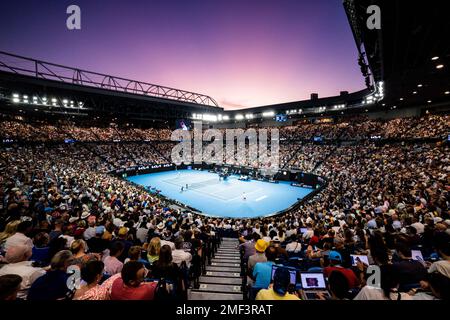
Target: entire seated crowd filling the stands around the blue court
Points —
{"points": [[60, 208]]}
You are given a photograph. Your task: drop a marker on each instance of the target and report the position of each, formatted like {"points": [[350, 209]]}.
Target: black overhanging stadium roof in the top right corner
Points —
{"points": [[411, 51]]}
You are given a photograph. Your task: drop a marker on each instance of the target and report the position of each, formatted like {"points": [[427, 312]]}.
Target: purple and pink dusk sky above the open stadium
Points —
{"points": [[241, 53]]}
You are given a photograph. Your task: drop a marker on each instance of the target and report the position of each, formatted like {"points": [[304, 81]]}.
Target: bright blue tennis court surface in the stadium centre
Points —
{"points": [[224, 198]]}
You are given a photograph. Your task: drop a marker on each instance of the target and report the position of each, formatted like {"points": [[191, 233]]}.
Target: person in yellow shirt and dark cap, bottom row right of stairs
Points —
{"points": [[279, 289]]}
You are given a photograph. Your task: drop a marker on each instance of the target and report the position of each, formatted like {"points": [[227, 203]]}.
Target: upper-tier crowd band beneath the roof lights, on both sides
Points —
{"points": [[357, 128]]}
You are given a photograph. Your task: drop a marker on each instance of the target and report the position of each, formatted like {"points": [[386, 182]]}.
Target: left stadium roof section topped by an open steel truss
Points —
{"points": [[95, 91]]}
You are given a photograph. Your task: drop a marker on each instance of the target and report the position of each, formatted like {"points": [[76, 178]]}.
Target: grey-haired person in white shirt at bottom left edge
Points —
{"points": [[17, 257]]}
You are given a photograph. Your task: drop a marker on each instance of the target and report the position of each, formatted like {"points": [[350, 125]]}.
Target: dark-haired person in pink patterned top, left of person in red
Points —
{"points": [[92, 274]]}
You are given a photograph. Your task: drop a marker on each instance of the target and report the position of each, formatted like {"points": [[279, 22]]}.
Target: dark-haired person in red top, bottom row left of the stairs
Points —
{"points": [[131, 285]]}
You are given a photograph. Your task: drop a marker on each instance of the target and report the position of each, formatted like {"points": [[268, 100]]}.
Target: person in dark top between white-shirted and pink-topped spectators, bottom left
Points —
{"points": [[53, 284]]}
